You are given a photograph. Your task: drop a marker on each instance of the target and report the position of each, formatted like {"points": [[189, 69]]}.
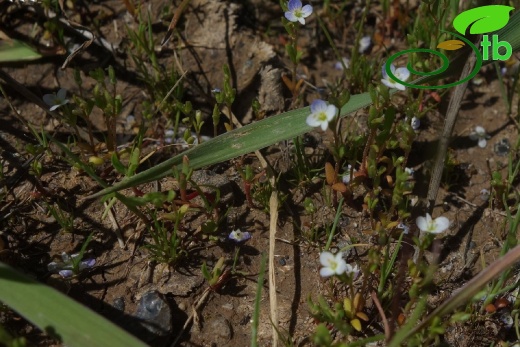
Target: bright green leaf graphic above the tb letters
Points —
{"points": [[482, 19]]}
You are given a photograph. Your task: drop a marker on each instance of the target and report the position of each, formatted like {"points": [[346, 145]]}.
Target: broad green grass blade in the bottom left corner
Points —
{"points": [[58, 315]]}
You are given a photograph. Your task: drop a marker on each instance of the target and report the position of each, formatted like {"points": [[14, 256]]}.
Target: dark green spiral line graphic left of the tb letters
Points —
{"points": [[476, 69]]}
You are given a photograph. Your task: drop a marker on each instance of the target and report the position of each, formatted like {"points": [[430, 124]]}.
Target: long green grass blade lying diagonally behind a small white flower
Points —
{"points": [[238, 142]]}
